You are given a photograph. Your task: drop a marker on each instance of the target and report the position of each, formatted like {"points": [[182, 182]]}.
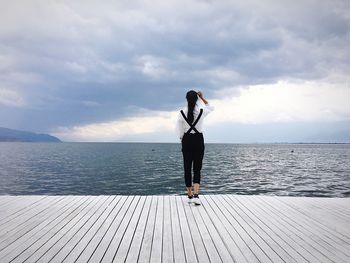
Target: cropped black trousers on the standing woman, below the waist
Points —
{"points": [[193, 153]]}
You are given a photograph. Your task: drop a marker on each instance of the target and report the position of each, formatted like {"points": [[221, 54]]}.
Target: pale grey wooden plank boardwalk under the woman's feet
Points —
{"points": [[225, 228]]}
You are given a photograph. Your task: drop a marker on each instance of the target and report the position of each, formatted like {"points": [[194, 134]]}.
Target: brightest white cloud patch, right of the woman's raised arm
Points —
{"points": [[285, 101]]}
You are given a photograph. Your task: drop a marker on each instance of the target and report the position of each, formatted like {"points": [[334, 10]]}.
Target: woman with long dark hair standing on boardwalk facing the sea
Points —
{"points": [[189, 128]]}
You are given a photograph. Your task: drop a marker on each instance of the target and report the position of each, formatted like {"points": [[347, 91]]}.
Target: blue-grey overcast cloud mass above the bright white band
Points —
{"points": [[82, 62]]}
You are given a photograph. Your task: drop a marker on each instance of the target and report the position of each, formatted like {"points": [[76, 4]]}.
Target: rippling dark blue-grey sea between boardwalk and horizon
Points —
{"points": [[317, 170]]}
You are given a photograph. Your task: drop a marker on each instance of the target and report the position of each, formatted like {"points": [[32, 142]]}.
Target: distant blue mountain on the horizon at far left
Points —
{"points": [[9, 135]]}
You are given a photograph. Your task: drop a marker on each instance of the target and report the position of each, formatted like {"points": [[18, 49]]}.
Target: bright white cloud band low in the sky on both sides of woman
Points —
{"points": [[282, 102]]}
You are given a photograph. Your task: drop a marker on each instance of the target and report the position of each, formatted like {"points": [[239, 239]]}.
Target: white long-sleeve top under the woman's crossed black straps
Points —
{"points": [[182, 126]]}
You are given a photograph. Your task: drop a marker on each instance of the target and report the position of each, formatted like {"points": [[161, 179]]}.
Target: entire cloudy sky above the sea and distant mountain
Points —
{"points": [[105, 71]]}
